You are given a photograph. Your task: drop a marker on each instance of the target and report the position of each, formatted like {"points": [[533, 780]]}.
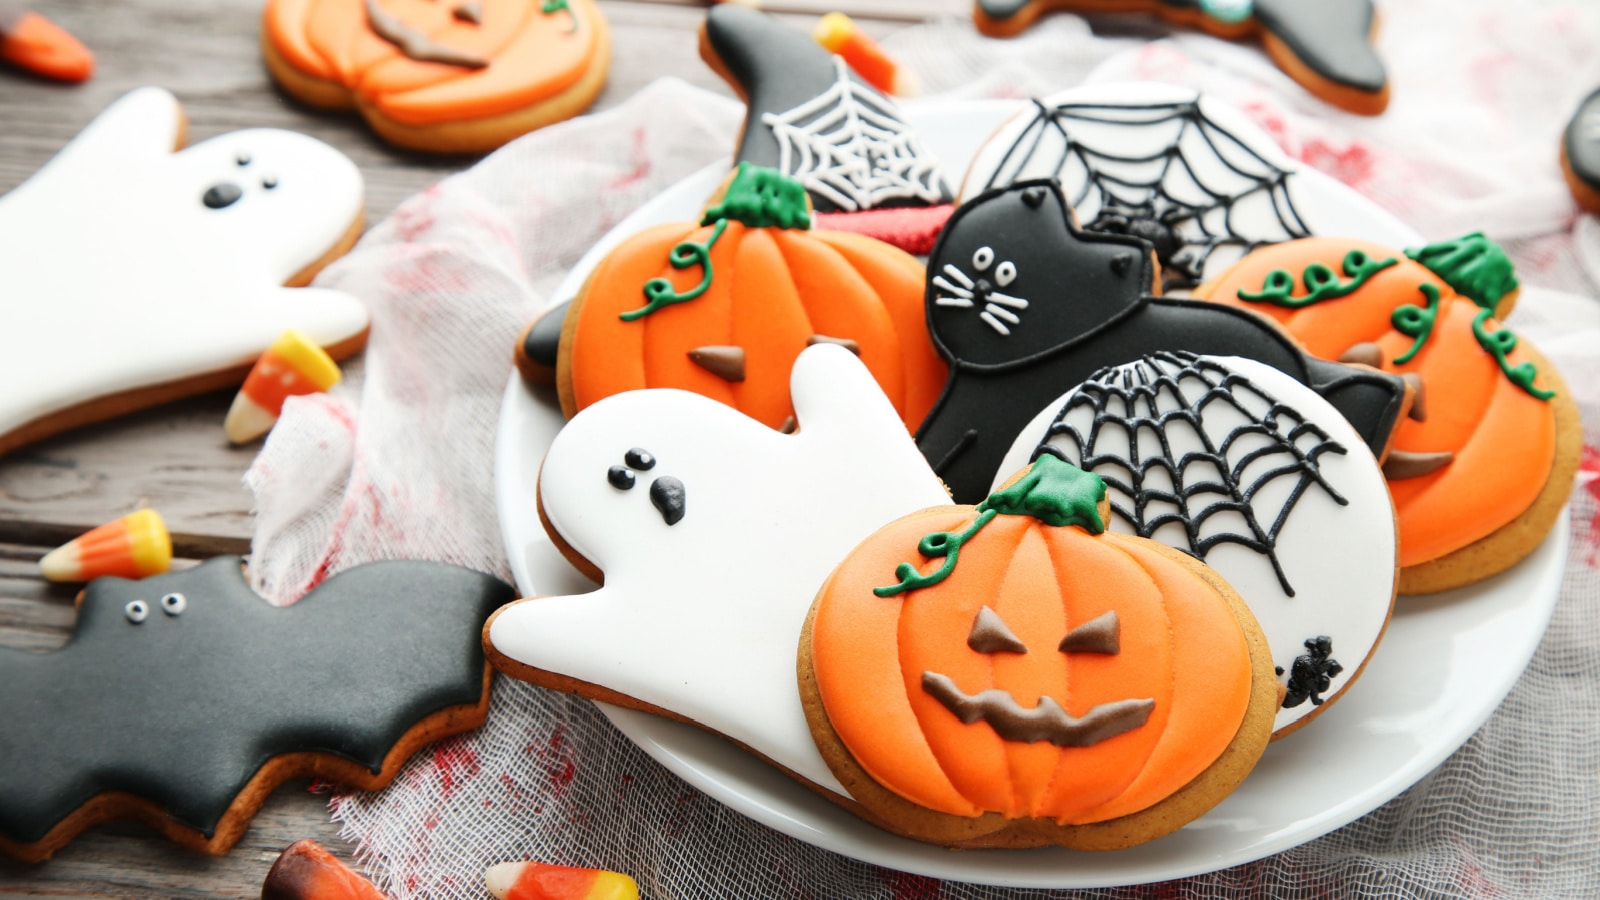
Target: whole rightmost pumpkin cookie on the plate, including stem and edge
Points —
{"points": [[1484, 465]]}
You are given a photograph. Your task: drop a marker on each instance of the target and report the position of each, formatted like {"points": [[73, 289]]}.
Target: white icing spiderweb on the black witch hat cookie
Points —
{"points": [[850, 147]]}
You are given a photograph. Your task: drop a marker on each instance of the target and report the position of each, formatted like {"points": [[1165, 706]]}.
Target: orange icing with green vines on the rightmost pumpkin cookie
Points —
{"points": [[1449, 472]]}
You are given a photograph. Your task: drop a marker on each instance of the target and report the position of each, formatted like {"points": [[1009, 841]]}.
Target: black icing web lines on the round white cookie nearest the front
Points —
{"points": [[1166, 464]]}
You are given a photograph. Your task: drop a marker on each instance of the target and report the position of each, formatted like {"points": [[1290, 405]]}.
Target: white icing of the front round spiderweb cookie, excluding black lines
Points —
{"points": [[1338, 560]]}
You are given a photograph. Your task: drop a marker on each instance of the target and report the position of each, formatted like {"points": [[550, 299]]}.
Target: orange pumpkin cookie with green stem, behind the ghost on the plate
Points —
{"points": [[724, 308]]}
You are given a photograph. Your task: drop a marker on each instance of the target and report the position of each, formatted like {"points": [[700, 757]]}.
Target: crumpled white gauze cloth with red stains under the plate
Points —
{"points": [[398, 462]]}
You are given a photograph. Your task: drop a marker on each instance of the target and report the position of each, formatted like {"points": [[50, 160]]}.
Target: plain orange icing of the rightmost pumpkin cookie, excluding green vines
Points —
{"points": [[1503, 438]]}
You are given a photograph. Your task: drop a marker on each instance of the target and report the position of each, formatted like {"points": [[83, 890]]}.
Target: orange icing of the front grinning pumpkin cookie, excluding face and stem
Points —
{"points": [[1182, 648]]}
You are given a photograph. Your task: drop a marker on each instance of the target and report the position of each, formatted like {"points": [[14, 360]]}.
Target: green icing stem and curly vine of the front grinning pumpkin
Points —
{"points": [[1055, 492]]}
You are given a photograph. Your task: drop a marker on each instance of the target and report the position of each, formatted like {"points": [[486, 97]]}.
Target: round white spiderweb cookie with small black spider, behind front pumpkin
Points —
{"points": [[1246, 468]]}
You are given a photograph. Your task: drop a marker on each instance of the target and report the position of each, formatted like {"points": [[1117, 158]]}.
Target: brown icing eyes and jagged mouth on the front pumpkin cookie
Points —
{"points": [[1047, 721]]}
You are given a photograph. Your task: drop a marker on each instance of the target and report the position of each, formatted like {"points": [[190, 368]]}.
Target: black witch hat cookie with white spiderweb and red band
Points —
{"points": [[818, 123]]}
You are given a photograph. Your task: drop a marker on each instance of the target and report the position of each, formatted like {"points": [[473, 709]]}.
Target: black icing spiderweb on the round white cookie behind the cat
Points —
{"points": [[1164, 172]]}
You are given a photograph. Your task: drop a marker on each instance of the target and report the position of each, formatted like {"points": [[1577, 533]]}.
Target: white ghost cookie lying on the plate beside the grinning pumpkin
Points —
{"points": [[713, 534]]}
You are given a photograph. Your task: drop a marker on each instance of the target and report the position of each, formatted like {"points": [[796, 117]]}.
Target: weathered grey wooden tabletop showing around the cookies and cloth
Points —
{"points": [[175, 459]]}
